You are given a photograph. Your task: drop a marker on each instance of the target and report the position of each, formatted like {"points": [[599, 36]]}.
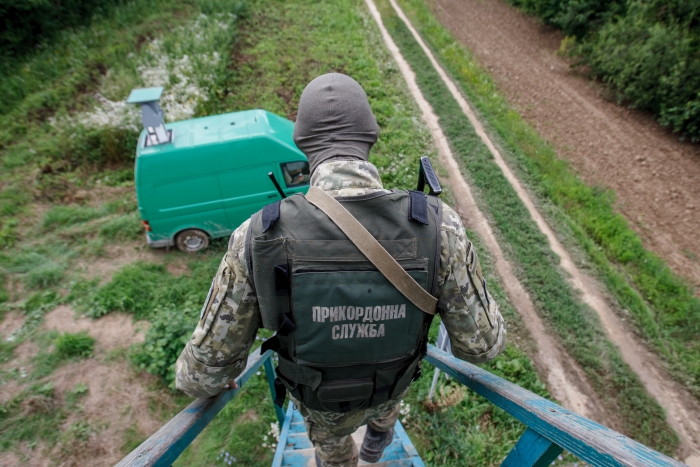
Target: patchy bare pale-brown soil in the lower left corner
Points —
{"points": [[119, 399]]}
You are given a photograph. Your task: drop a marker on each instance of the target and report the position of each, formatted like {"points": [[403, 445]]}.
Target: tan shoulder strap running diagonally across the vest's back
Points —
{"points": [[371, 248]]}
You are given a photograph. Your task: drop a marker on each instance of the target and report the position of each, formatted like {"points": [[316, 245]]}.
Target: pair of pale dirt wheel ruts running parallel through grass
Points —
{"points": [[679, 405]]}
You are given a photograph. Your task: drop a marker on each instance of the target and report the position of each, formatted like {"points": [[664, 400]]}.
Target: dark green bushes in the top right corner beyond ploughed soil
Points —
{"points": [[648, 51]]}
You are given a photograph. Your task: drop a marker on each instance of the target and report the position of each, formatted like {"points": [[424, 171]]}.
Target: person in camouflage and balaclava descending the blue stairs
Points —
{"points": [[349, 338]]}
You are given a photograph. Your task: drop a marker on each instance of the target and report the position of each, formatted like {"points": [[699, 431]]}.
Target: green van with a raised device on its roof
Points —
{"points": [[211, 174]]}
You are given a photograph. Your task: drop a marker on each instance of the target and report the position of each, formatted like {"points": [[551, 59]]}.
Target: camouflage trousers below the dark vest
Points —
{"points": [[331, 432]]}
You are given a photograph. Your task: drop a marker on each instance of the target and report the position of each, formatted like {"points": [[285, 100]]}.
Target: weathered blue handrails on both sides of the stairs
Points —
{"points": [[550, 427]]}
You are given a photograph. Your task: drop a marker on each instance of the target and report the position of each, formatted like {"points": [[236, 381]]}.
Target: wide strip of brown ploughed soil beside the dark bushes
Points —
{"points": [[654, 175]]}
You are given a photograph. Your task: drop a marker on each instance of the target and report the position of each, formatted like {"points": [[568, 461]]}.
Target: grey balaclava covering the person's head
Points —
{"points": [[334, 120]]}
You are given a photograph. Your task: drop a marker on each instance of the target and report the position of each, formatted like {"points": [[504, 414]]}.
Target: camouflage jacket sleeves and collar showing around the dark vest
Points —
{"points": [[218, 350]]}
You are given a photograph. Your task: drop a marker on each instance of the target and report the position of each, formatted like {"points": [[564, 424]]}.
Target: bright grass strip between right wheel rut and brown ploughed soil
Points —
{"points": [[663, 306]]}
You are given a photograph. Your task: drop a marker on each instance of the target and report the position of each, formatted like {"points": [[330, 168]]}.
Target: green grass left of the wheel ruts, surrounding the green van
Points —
{"points": [[277, 52]]}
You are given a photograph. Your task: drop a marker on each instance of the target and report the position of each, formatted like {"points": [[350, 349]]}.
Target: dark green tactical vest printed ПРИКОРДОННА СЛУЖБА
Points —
{"points": [[347, 339]]}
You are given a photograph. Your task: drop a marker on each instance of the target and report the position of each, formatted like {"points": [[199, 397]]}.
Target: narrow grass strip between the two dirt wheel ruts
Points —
{"points": [[538, 267]]}
